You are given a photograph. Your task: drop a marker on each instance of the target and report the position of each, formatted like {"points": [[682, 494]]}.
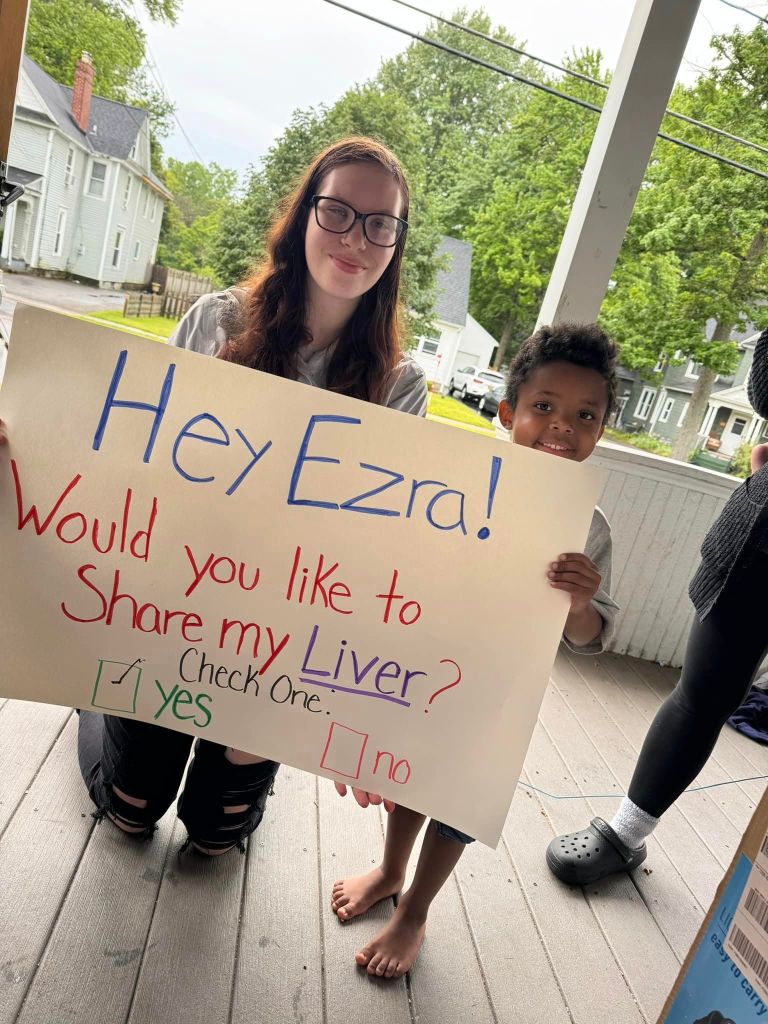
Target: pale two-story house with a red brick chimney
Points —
{"points": [[93, 207]]}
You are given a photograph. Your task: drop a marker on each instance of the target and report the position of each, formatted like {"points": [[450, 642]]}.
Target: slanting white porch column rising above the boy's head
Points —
{"points": [[626, 133]]}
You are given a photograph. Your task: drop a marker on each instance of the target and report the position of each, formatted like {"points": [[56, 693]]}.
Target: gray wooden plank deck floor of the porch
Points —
{"points": [[99, 930]]}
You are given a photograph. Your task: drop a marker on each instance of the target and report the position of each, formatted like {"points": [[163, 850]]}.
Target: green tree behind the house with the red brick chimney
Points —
{"points": [[59, 31]]}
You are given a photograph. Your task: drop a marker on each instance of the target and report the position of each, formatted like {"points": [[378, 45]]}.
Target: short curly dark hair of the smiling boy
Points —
{"points": [[583, 345]]}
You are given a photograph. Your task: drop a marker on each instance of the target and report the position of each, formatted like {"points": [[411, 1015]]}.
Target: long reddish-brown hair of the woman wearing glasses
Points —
{"points": [[369, 348]]}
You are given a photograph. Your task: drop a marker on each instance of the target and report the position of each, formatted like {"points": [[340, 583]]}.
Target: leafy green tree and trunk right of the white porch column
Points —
{"points": [[697, 249]]}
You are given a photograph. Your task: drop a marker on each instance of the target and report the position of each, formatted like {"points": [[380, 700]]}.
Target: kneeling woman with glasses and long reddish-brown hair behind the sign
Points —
{"points": [[323, 309]]}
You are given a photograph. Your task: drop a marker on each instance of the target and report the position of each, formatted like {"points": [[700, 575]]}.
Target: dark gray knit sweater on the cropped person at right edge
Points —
{"points": [[735, 533]]}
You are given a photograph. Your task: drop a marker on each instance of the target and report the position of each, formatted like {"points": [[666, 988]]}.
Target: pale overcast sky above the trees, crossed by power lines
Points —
{"points": [[238, 69]]}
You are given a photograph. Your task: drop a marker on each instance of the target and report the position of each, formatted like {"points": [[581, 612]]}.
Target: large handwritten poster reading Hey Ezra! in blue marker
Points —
{"points": [[347, 589]]}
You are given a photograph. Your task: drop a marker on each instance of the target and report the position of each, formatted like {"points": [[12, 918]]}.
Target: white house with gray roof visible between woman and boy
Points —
{"points": [[458, 339]]}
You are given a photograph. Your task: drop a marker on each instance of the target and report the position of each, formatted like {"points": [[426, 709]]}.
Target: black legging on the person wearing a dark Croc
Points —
{"points": [[723, 655]]}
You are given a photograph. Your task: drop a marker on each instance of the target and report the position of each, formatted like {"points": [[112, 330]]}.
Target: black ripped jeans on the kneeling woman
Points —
{"points": [[147, 762]]}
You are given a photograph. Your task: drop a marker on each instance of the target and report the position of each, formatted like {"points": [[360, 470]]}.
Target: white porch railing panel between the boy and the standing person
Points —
{"points": [[660, 511]]}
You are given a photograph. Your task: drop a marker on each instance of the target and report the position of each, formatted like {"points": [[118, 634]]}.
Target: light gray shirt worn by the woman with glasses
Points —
{"points": [[214, 319]]}
